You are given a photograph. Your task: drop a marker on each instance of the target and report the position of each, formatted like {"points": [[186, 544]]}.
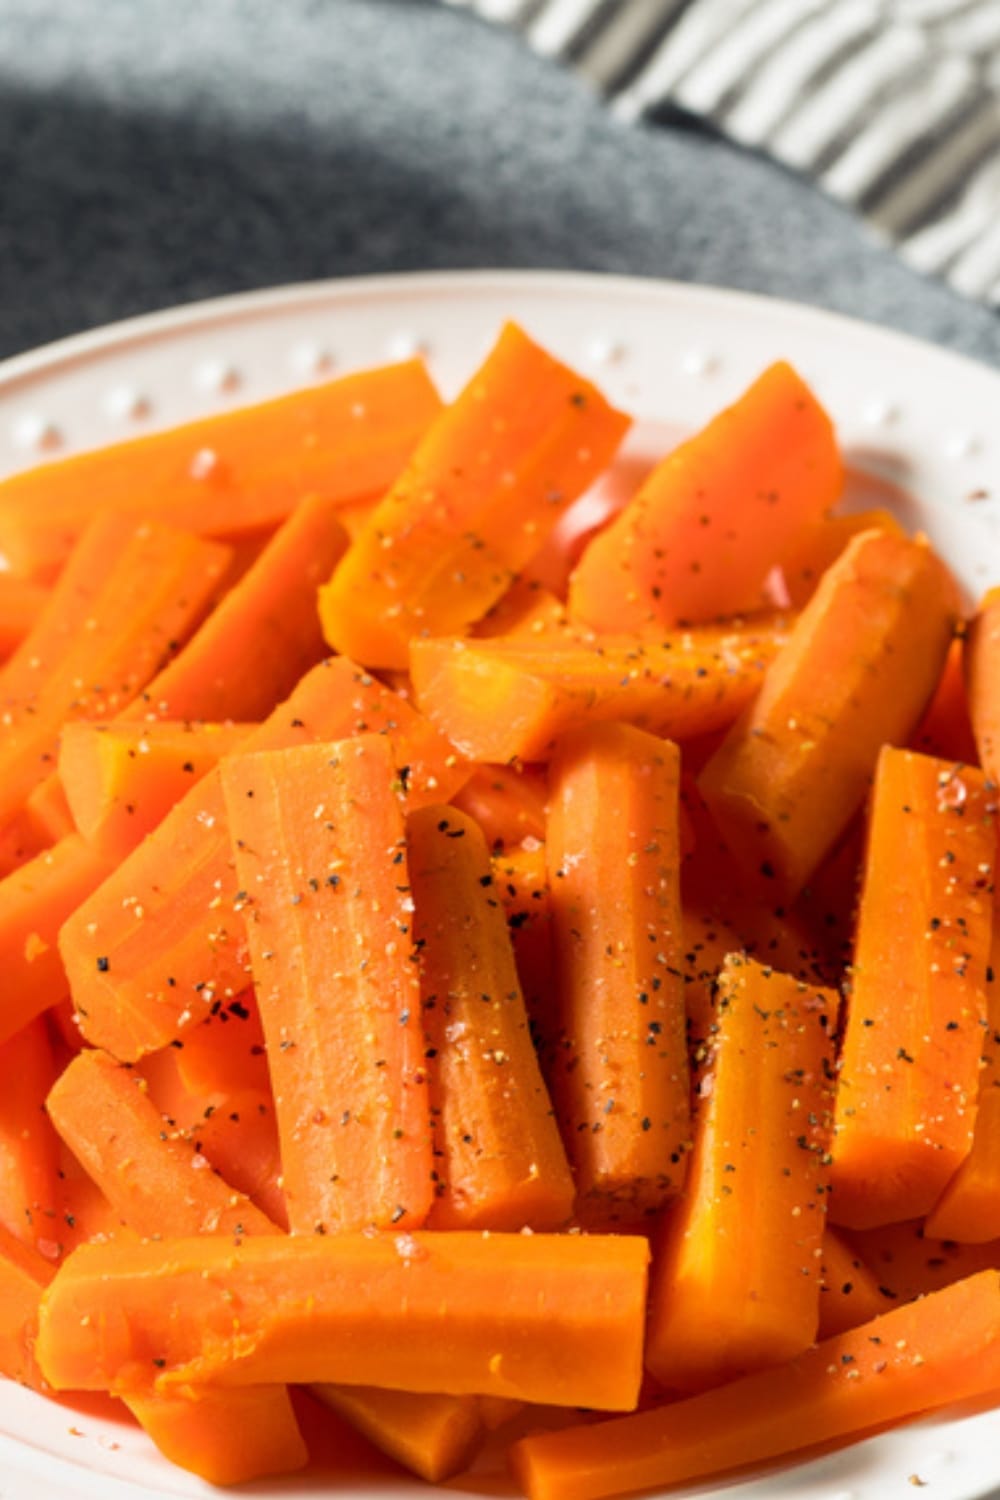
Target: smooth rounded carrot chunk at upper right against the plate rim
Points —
{"points": [[701, 536]]}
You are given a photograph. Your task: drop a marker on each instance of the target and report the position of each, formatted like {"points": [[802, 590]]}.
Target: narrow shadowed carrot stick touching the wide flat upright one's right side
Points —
{"points": [[499, 1157]]}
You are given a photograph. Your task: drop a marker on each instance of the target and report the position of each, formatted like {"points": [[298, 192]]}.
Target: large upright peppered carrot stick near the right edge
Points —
{"points": [[909, 1075]]}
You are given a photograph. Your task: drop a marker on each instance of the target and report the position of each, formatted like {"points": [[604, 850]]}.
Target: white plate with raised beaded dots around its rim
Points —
{"points": [[672, 355]]}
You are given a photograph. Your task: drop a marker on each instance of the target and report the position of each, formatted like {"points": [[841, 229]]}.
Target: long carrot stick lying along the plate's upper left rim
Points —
{"points": [[227, 476]]}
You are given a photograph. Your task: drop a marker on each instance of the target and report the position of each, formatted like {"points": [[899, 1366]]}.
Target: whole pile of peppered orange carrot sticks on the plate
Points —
{"points": [[466, 997]]}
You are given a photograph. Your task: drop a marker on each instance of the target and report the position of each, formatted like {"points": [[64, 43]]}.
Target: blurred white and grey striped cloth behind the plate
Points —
{"points": [[891, 106]]}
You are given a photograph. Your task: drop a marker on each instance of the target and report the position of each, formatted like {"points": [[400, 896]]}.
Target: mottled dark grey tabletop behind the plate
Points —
{"points": [[155, 152]]}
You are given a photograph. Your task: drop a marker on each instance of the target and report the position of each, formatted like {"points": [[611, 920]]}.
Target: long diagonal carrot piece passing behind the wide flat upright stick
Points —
{"points": [[164, 938]]}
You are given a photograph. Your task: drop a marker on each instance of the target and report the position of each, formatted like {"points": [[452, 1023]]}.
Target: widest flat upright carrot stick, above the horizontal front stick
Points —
{"points": [[322, 862]]}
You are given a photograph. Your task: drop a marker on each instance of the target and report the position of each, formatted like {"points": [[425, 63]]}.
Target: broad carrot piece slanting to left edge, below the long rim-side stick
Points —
{"points": [[130, 595]]}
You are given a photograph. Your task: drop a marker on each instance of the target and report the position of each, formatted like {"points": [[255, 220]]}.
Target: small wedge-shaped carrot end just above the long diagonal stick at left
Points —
{"points": [[122, 778]]}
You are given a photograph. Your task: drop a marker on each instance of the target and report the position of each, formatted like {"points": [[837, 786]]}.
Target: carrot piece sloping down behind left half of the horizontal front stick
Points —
{"points": [[158, 1183]]}
